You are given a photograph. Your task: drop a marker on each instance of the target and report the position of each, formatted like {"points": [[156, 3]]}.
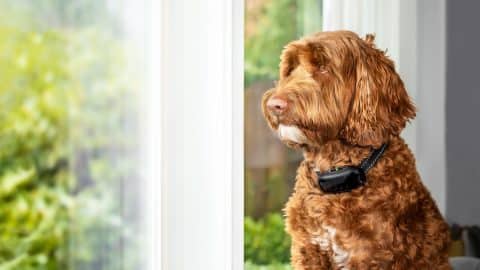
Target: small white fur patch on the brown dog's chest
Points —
{"points": [[326, 241]]}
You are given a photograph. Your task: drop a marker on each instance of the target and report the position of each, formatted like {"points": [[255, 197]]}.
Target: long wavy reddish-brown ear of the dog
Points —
{"points": [[380, 106]]}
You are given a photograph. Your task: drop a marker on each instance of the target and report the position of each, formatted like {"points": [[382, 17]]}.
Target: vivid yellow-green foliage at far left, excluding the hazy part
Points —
{"points": [[33, 180]]}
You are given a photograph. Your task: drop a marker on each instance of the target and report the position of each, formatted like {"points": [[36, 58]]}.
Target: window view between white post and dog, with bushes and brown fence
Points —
{"points": [[269, 166]]}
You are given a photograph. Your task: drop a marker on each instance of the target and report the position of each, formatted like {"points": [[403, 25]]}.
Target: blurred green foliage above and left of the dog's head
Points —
{"points": [[277, 23]]}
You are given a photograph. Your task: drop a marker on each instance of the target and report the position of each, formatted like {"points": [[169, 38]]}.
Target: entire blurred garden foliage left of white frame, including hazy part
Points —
{"points": [[63, 169]]}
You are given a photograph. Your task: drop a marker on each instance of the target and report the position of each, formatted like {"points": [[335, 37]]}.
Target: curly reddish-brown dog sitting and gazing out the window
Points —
{"points": [[338, 98]]}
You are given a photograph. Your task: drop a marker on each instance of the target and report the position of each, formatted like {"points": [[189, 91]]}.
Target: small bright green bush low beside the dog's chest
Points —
{"points": [[266, 241]]}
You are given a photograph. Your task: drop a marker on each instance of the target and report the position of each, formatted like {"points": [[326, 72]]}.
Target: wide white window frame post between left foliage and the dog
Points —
{"points": [[195, 119]]}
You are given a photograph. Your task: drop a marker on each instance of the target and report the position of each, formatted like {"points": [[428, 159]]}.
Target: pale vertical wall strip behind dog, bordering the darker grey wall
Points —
{"points": [[431, 129]]}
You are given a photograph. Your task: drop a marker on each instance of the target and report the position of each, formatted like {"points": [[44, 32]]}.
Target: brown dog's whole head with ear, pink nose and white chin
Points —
{"points": [[335, 85]]}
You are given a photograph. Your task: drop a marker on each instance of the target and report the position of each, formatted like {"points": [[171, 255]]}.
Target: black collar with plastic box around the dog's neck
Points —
{"points": [[348, 178]]}
